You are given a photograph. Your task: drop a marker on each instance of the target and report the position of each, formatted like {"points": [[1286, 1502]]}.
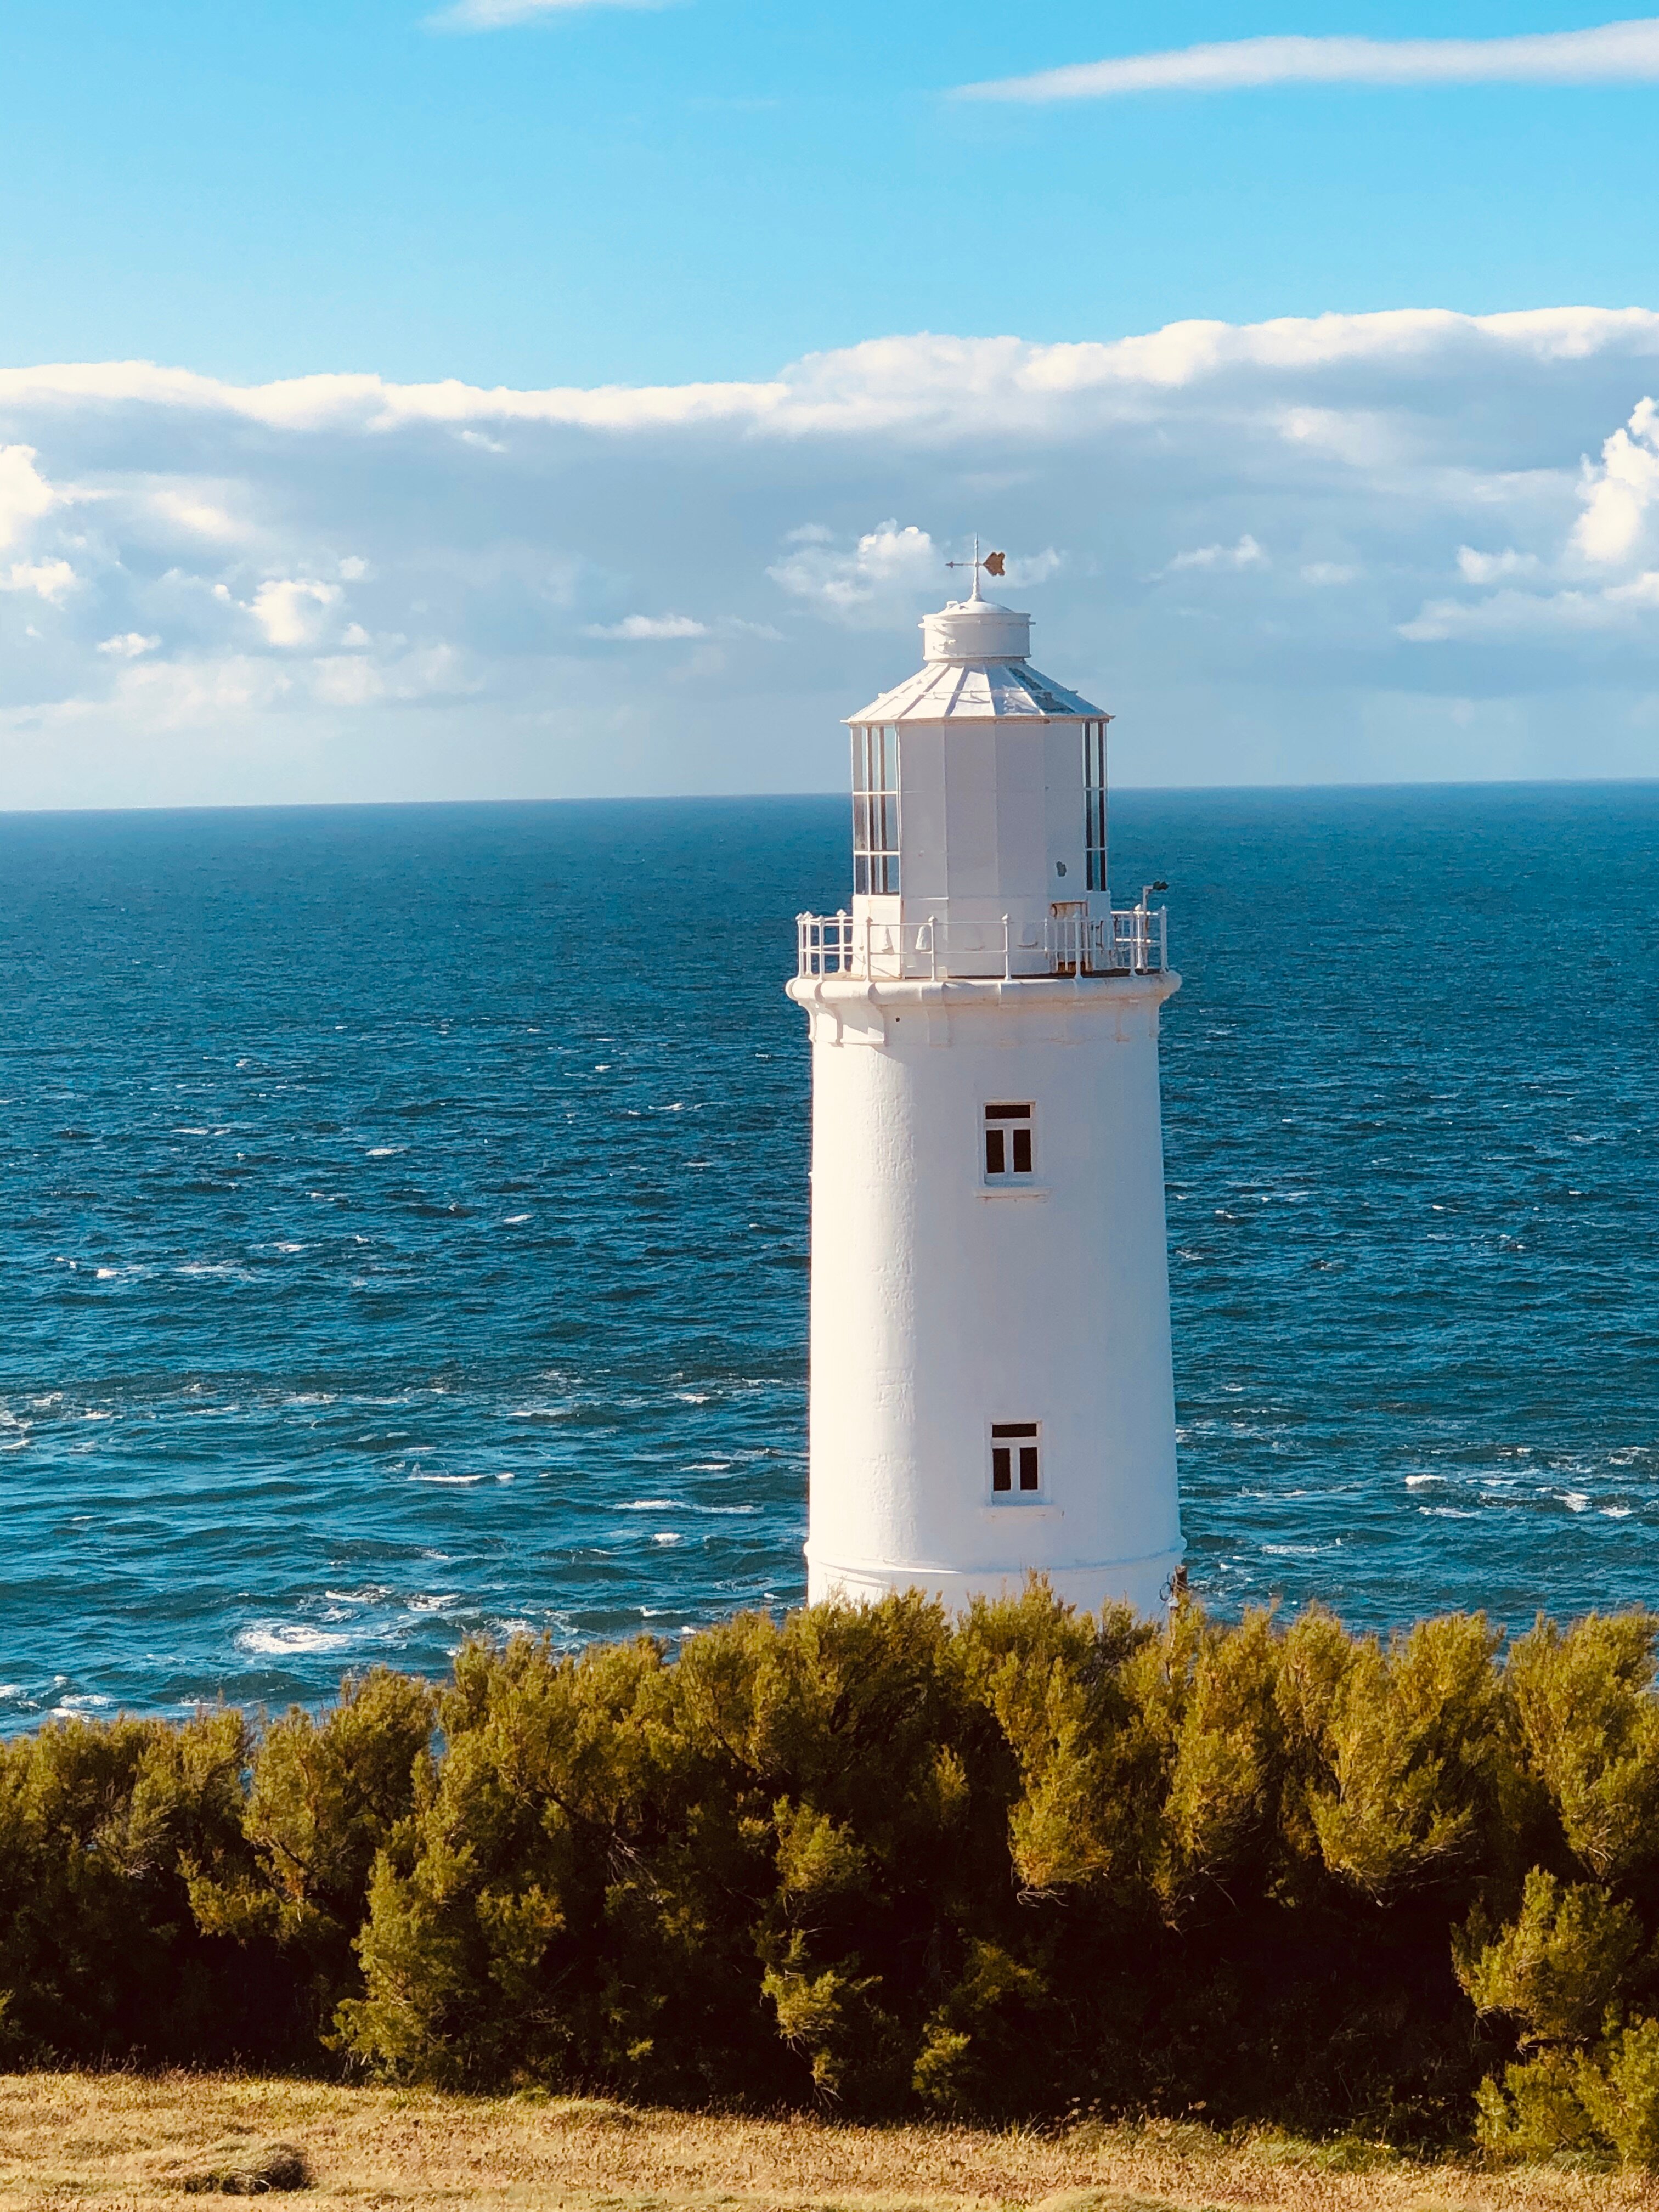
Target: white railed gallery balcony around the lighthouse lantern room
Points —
{"points": [[1131, 941]]}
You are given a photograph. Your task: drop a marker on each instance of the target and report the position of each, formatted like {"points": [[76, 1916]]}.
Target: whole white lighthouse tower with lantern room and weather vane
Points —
{"points": [[990, 1280]]}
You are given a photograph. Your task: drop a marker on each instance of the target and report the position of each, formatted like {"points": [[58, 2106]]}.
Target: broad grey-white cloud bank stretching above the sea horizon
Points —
{"points": [[1333, 550]]}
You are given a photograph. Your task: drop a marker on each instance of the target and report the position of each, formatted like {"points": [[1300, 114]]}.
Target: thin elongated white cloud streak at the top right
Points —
{"points": [[1611, 54]]}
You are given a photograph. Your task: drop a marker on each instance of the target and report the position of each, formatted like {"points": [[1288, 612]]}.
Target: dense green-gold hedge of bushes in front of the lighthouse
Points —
{"points": [[1005, 1866]]}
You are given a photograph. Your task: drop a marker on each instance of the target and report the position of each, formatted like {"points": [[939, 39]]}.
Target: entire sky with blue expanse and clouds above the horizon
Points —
{"points": [[514, 399]]}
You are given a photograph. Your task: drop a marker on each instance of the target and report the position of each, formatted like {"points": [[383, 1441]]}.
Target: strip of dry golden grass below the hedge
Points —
{"points": [[72, 2140]]}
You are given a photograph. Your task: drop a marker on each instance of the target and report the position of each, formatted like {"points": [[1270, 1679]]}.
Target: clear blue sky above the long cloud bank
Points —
{"points": [[718, 187]]}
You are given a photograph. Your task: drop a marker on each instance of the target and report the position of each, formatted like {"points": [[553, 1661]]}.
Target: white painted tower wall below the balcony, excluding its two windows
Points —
{"points": [[939, 1308]]}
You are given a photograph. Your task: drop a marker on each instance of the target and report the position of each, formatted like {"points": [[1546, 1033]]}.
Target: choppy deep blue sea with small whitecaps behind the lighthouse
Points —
{"points": [[404, 1220]]}
